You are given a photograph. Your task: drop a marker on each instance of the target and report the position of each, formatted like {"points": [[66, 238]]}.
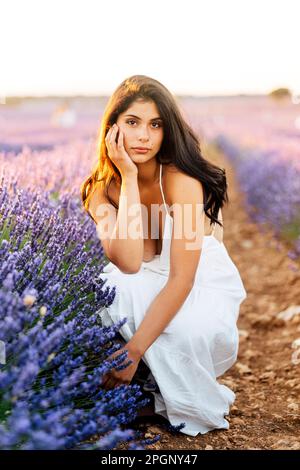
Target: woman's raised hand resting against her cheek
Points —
{"points": [[117, 152]]}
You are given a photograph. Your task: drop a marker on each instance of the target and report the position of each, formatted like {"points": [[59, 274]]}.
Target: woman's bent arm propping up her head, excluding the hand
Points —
{"points": [[121, 244]]}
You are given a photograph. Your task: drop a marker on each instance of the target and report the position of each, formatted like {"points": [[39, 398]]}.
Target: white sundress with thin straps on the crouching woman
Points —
{"points": [[201, 341]]}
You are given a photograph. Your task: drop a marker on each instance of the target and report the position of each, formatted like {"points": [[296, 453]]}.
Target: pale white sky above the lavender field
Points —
{"points": [[194, 47]]}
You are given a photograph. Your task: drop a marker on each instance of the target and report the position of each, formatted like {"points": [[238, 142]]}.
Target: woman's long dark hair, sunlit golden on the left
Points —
{"points": [[180, 145]]}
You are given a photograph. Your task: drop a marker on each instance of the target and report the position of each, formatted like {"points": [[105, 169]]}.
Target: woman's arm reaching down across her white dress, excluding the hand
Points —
{"points": [[186, 196]]}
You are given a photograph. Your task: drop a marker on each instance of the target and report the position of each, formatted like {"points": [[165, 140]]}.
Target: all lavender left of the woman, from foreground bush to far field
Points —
{"points": [[56, 350]]}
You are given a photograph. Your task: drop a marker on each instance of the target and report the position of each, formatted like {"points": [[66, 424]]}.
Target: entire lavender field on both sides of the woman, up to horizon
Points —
{"points": [[50, 257]]}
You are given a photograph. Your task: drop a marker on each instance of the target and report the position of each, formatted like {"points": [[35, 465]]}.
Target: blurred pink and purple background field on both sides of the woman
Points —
{"points": [[259, 134]]}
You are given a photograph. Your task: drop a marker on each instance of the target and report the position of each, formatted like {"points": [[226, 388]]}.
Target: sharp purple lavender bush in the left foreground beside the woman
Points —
{"points": [[56, 347]]}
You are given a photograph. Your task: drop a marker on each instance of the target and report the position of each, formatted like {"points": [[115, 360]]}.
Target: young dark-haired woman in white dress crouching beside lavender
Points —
{"points": [[181, 297]]}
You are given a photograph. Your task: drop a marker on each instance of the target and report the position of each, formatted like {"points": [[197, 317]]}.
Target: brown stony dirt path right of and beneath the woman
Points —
{"points": [[266, 413]]}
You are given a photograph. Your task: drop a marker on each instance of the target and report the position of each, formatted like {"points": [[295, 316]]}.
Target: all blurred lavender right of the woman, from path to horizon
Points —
{"points": [[261, 137]]}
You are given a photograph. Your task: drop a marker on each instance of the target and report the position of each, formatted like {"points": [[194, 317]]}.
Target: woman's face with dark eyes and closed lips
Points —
{"points": [[142, 127]]}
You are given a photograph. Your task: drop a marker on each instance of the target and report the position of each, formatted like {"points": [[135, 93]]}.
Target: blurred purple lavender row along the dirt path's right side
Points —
{"points": [[272, 189]]}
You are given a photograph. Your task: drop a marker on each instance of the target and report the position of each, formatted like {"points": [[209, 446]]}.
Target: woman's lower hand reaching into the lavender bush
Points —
{"points": [[114, 378]]}
